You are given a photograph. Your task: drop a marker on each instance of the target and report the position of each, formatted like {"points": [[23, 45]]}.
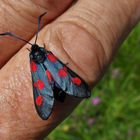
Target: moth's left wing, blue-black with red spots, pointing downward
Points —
{"points": [[42, 90]]}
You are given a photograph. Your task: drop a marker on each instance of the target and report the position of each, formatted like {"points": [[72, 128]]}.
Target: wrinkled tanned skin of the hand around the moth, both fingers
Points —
{"points": [[86, 36]]}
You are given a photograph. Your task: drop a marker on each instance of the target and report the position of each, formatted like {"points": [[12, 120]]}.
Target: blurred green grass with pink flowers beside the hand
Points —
{"points": [[117, 117]]}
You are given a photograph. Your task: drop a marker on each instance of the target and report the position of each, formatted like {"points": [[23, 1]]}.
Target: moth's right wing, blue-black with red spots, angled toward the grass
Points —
{"points": [[69, 81]]}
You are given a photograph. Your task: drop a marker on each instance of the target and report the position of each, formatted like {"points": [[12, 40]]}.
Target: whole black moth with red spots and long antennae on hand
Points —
{"points": [[51, 78]]}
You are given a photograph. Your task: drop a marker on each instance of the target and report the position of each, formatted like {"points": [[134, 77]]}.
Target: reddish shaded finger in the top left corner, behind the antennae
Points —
{"points": [[21, 19]]}
